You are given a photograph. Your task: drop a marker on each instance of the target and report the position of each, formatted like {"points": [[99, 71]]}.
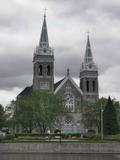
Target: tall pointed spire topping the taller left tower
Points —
{"points": [[44, 35]]}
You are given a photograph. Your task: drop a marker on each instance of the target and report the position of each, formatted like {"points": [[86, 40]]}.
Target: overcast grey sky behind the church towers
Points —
{"points": [[68, 22]]}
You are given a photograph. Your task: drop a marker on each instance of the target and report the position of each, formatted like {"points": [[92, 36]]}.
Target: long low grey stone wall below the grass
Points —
{"points": [[111, 148]]}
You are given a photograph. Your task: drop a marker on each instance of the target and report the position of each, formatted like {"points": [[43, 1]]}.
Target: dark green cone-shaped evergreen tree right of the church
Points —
{"points": [[110, 124]]}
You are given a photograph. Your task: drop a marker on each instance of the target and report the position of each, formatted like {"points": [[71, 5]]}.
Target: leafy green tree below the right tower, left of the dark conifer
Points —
{"points": [[91, 117]]}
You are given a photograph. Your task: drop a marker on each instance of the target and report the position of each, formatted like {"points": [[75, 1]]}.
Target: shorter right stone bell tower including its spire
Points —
{"points": [[89, 75]]}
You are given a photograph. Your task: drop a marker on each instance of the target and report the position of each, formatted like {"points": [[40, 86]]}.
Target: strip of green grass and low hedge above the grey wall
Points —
{"points": [[74, 140]]}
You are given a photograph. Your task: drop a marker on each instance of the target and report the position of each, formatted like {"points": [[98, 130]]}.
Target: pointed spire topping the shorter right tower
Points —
{"points": [[88, 53]]}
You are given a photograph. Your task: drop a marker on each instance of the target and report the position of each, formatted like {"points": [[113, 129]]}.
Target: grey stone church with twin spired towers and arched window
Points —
{"points": [[74, 95]]}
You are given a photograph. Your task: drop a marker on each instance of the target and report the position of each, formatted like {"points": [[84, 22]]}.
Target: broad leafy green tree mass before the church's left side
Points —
{"points": [[39, 110]]}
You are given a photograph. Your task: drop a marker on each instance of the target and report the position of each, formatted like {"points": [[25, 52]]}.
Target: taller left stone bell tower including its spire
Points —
{"points": [[43, 62]]}
